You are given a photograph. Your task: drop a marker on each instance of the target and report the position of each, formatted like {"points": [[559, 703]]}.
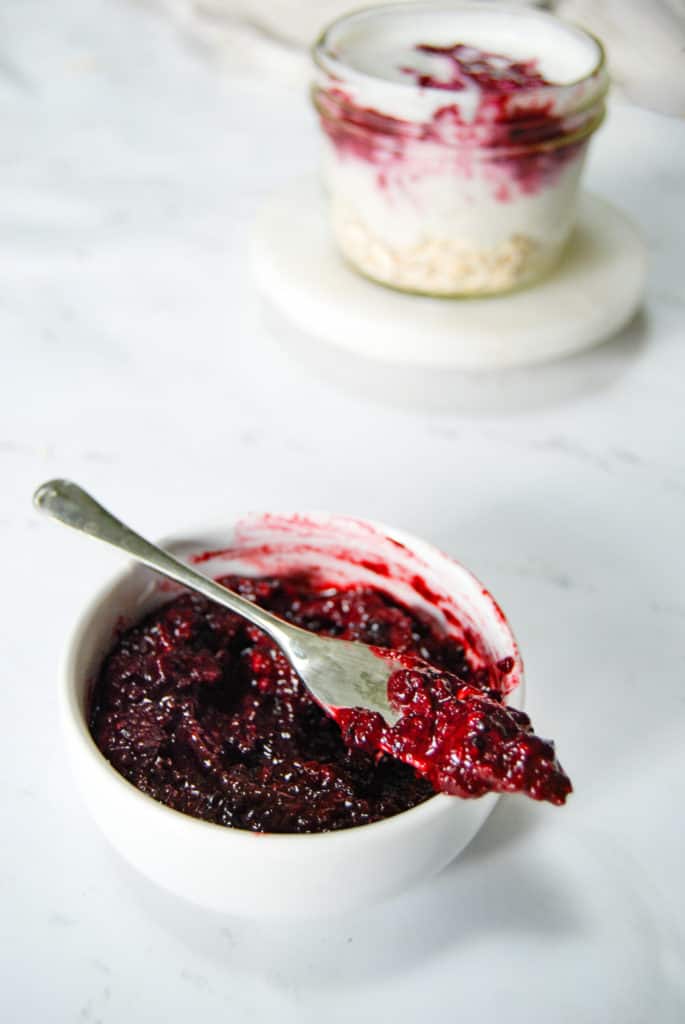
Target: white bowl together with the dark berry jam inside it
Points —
{"points": [[254, 802]]}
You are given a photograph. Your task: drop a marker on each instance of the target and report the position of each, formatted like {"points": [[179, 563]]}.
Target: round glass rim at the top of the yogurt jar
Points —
{"points": [[332, 65]]}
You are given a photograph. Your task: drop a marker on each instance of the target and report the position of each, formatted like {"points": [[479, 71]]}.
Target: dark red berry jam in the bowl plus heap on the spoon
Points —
{"points": [[201, 711]]}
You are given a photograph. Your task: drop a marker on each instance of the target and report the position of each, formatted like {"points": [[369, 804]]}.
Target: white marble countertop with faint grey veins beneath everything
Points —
{"points": [[134, 362]]}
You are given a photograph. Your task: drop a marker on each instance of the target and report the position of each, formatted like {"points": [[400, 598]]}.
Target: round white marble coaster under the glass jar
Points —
{"points": [[594, 292]]}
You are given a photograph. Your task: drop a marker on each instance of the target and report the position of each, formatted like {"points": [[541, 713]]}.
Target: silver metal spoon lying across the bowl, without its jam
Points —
{"points": [[337, 673]]}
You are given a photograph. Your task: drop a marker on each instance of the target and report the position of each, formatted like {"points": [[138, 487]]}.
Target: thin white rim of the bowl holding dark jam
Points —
{"points": [[75, 722]]}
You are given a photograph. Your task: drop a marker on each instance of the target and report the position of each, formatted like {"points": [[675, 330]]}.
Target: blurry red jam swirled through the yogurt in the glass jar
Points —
{"points": [[512, 116]]}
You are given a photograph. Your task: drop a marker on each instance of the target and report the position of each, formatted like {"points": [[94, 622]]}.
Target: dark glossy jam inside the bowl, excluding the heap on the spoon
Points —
{"points": [[201, 711]]}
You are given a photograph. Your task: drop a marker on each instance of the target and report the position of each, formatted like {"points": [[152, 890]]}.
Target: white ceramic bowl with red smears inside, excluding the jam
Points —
{"points": [[250, 874]]}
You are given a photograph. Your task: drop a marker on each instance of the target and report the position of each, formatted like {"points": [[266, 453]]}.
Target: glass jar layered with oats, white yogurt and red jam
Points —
{"points": [[454, 142]]}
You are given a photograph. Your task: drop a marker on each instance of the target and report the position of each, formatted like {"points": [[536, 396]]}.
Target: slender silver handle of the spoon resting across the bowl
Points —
{"points": [[71, 505]]}
